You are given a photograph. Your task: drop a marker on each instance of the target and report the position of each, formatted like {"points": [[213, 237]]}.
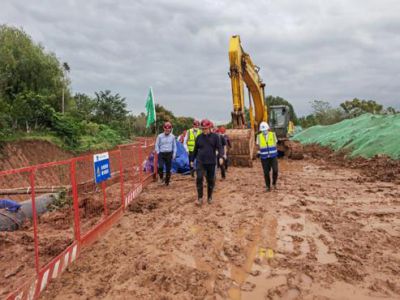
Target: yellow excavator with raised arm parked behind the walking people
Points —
{"points": [[244, 71]]}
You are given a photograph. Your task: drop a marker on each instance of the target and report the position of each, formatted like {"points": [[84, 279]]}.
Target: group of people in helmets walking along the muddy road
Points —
{"points": [[207, 149]]}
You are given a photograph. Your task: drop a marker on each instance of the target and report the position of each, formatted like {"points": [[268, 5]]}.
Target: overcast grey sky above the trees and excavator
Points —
{"points": [[330, 50]]}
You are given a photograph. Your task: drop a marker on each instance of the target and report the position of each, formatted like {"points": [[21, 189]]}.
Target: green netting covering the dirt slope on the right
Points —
{"points": [[365, 136]]}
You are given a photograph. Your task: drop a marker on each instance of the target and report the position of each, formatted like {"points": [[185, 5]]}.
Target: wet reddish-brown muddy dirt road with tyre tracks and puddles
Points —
{"points": [[324, 234]]}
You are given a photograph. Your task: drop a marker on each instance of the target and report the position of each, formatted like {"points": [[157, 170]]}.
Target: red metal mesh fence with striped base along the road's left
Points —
{"points": [[79, 212]]}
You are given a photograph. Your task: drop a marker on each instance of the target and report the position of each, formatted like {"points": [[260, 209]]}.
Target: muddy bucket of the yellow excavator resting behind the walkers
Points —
{"points": [[243, 147]]}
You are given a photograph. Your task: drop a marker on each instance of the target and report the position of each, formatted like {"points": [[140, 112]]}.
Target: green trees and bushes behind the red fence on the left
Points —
{"points": [[36, 98]]}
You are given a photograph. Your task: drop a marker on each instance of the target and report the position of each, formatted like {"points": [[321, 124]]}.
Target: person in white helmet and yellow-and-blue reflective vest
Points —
{"points": [[268, 152]]}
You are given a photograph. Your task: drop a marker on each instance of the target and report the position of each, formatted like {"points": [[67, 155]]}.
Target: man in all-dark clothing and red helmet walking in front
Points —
{"points": [[206, 146]]}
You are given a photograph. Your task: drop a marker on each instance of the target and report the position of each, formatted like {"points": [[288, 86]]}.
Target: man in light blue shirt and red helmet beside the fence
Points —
{"points": [[166, 150]]}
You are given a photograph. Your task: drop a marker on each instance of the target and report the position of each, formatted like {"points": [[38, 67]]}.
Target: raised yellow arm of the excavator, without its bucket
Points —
{"points": [[243, 70]]}
